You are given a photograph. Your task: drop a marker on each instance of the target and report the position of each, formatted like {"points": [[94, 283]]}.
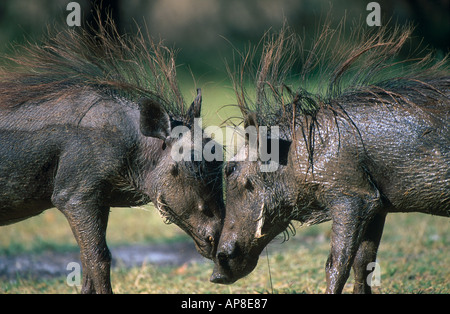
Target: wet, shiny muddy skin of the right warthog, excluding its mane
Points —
{"points": [[352, 159]]}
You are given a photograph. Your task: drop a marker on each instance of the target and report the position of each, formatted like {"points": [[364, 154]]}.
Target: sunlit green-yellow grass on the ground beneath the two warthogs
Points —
{"points": [[413, 257]]}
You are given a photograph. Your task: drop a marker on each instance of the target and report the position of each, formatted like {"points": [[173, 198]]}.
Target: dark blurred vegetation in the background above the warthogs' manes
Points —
{"points": [[205, 31]]}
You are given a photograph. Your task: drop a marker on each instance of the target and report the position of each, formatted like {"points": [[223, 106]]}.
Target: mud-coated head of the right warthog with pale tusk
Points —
{"points": [[258, 194]]}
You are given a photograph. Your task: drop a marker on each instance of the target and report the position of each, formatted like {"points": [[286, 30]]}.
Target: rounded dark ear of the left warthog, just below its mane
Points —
{"points": [[154, 120]]}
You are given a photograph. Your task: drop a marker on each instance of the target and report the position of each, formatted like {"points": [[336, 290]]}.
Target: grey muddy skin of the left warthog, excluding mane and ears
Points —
{"points": [[84, 169]]}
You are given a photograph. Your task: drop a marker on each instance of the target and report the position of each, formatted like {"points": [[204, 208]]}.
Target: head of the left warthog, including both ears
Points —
{"points": [[186, 185]]}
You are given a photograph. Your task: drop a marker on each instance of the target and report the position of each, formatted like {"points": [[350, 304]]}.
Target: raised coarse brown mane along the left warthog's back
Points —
{"points": [[97, 56]]}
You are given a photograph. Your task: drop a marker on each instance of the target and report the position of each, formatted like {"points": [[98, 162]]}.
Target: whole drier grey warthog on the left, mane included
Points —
{"points": [[86, 123]]}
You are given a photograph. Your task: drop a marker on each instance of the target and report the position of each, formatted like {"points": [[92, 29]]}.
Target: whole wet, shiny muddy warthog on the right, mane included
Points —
{"points": [[367, 142]]}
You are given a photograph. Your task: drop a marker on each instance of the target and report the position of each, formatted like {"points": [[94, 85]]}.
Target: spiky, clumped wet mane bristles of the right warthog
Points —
{"points": [[333, 68]]}
